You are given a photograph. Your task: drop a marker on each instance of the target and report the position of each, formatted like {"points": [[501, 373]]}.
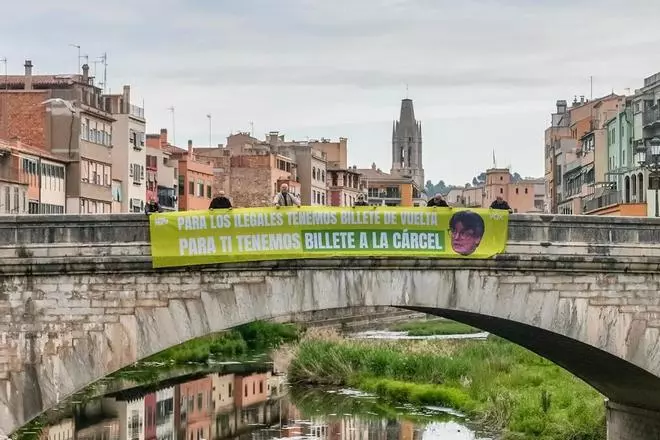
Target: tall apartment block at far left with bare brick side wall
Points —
{"points": [[65, 115]]}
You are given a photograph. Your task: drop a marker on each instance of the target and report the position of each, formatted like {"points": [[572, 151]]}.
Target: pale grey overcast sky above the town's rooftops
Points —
{"points": [[484, 74]]}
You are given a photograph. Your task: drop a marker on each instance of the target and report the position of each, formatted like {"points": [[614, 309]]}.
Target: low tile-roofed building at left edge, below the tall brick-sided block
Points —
{"points": [[32, 181]]}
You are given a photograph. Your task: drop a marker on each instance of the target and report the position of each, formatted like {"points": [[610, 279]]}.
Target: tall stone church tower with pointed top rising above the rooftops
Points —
{"points": [[407, 145]]}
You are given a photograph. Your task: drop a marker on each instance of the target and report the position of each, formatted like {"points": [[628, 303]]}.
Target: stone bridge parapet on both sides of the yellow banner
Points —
{"points": [[117, 242]]}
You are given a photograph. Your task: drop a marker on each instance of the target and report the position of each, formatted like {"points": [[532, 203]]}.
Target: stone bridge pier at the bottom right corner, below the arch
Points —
{"points": [[630, 423]]}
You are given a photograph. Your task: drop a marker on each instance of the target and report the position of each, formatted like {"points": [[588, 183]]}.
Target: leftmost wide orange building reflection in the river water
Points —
{"points": [[196, 408]]}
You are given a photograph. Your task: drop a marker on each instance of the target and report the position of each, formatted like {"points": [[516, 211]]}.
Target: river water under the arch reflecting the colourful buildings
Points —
{"points": [[255, 404]]}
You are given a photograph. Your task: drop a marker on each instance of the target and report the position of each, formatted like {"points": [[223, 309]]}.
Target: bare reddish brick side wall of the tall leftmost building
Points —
{"points": [[22, 115]]}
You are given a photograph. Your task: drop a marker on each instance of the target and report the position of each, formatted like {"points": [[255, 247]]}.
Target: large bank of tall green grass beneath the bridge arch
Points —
{"points": [[505, 386]]}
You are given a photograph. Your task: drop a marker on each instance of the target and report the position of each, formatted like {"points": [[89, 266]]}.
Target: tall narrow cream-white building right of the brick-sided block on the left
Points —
{"points": [[129, 153]]}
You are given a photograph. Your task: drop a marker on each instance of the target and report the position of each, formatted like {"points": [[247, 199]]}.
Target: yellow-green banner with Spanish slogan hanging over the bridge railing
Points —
{"points": [[256, 234]]}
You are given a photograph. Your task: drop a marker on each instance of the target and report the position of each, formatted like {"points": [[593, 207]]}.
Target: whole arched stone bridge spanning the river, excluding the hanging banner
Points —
{"points": [[79, 300]]}
